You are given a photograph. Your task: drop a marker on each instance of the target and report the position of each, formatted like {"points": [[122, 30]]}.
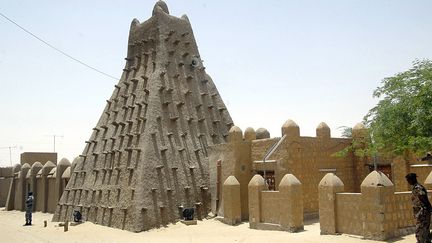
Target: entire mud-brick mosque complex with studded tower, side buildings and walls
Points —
{"points": [[165, 141]]}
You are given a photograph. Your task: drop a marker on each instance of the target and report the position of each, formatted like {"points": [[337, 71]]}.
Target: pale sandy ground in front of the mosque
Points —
{"points": [[208, 231]]}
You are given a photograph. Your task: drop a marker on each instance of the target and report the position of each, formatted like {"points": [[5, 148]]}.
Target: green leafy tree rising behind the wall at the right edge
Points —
{"points": [[402, 119]]}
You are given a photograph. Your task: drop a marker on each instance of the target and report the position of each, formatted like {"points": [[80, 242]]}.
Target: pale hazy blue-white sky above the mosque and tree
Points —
{"points": [[309, 61]]}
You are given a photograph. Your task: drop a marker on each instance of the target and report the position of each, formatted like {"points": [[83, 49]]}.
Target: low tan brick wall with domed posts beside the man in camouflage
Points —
{"points": [[376, 213]]}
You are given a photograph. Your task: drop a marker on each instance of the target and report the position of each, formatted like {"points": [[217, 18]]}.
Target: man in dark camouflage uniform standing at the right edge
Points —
{"points": [[421, 209]]}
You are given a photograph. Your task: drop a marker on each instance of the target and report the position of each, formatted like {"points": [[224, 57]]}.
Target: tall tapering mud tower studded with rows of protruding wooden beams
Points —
{"points": [[147, 156]]}
